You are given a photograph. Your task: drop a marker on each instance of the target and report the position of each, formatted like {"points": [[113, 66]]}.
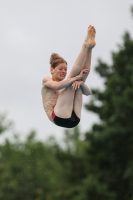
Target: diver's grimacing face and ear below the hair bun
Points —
{"points": [[59, 73]]}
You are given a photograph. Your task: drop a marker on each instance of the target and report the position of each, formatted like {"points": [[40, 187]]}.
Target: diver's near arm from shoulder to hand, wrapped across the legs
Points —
{"points": [[48, 82]]}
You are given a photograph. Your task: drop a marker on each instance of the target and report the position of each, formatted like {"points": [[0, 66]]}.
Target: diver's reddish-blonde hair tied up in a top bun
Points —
{"points": [[55, 60]]}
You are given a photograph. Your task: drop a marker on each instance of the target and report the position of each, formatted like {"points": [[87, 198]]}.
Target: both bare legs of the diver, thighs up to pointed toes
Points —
{"points": [[70, 99]]}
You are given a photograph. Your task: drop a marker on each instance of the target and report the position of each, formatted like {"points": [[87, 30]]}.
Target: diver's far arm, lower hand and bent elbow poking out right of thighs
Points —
{"points": [[80, 84]]}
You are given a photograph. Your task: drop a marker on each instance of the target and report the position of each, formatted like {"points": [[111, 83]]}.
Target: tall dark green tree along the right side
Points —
{"points": [[110, 142]]}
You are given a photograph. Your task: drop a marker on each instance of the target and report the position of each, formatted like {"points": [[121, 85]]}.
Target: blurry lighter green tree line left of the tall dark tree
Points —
{"points": [[35, 170]]}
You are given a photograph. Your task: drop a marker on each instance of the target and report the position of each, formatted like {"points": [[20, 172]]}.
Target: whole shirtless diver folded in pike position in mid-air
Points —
{"points": [[62, 99]]}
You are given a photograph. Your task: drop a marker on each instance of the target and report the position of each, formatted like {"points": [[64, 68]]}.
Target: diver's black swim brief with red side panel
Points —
{"points": [[66, 122]]}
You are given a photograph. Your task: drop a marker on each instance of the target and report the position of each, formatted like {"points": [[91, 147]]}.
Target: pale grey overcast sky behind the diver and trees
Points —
{"points": [[30, 31]]}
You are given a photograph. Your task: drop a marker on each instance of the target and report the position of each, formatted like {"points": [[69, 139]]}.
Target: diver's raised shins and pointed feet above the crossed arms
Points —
{"points": [[84, 56]]}
